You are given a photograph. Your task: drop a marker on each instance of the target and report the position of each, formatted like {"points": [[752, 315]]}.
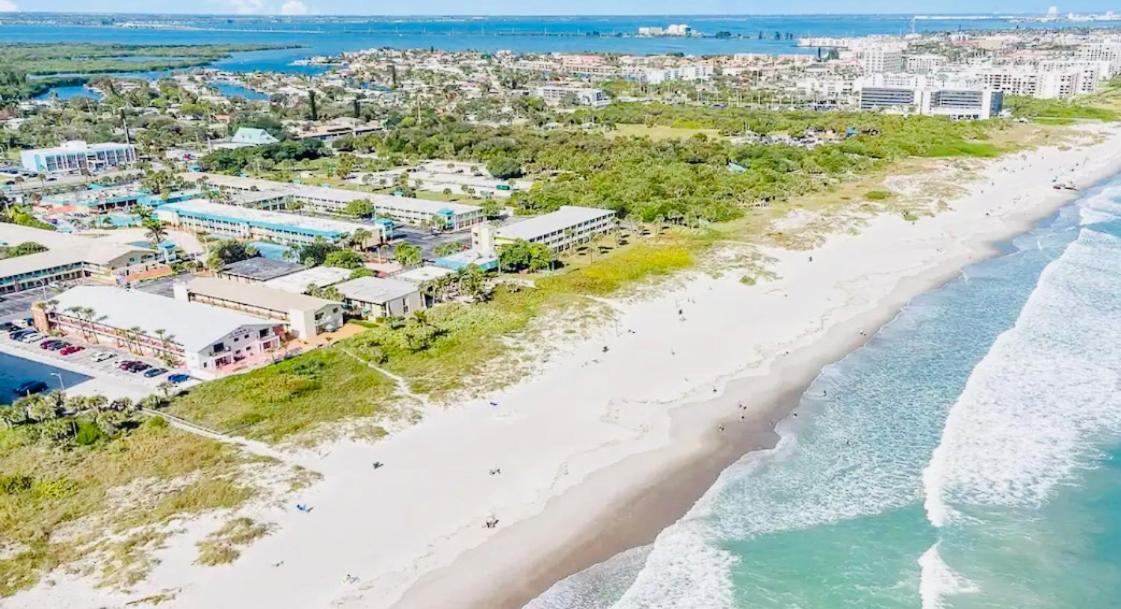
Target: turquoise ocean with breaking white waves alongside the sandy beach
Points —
{"points": [[968, 457]]}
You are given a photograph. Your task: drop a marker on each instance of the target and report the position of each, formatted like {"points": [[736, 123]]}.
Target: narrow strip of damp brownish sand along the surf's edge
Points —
{"points": [[636, 519]]}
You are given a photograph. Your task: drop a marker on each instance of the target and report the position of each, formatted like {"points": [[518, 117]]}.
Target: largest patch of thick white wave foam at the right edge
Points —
{"points": [[1032, 410]]}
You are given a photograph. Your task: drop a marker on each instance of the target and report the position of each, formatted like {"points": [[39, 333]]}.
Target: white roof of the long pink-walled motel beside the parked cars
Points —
{"points": [[194, 326]]}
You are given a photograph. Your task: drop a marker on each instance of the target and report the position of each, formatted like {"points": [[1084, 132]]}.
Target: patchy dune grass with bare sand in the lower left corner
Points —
{"points": [[60, 504]]}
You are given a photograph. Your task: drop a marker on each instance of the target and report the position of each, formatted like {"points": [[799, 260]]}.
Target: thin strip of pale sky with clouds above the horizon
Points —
{"points": [[550, 7]]}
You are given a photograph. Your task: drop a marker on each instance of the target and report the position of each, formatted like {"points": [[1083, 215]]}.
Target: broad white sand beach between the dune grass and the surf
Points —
{"points": [[600, 449]]}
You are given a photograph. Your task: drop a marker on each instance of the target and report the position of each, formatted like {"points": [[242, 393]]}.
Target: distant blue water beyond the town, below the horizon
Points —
{"points": [[319, 36]]}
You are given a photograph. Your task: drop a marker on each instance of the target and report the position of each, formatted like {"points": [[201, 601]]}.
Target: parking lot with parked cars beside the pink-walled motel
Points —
{"points": [[105, 377]]}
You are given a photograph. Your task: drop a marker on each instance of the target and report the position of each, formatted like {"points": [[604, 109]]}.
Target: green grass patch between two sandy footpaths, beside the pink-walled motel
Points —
{"points": [[280, 401]]}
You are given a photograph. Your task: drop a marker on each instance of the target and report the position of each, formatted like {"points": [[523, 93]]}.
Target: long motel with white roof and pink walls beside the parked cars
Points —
{"points": [[207, 340]]}
